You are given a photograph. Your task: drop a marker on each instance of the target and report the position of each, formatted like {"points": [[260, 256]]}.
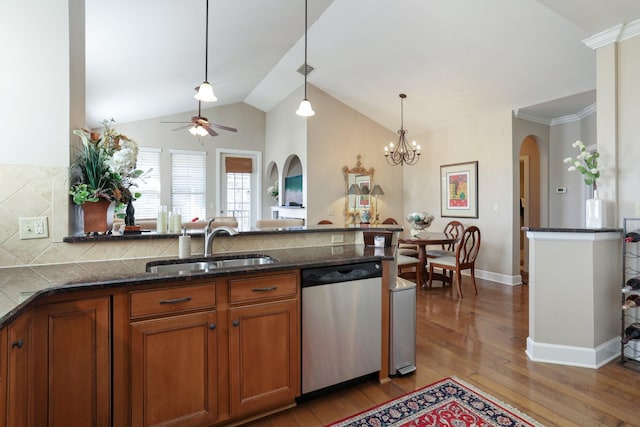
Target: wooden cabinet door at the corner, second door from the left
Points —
{"points": [[74, 363]]}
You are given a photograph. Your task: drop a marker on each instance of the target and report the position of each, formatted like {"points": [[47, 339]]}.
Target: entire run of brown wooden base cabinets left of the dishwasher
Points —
{"points": [[187, 354]]}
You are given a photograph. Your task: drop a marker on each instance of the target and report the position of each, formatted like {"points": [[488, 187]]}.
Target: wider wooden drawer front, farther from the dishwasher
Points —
{"points": [[171, 300]]}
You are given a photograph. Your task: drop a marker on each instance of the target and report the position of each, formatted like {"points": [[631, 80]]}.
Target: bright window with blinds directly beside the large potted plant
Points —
{"points": [[149, 185]]}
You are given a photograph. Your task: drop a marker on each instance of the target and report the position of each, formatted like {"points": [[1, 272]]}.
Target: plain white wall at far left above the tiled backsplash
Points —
{"points": [[35, 87]]}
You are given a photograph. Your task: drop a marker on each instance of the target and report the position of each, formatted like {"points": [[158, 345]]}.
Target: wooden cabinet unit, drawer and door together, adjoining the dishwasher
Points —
{"points": [[264, 343]]}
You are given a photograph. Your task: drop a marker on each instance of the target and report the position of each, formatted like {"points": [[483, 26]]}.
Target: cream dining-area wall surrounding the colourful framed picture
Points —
{"points": [[490, 143]]}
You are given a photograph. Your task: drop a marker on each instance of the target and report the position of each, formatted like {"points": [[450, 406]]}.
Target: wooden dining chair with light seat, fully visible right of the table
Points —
{"points": [[464, 259]]}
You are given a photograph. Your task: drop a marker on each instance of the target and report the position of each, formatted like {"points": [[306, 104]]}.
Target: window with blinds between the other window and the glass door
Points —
{"points": [[188, 183]]}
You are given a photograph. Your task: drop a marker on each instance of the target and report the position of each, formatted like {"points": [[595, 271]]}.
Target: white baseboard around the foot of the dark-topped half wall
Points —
{"points": [[584, 357]]}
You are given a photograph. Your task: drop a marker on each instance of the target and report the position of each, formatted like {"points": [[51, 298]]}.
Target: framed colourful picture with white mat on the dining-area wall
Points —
{"points": [[459, 190]]}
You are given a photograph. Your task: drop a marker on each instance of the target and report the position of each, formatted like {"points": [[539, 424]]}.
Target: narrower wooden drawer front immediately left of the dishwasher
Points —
{"points": [[262, 288]]}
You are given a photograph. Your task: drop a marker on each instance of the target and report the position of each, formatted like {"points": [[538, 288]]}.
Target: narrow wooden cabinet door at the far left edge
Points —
{"points": [[20, 373]]}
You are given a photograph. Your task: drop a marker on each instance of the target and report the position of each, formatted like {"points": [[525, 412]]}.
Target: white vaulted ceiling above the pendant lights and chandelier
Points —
{"points": [[455, 59]]}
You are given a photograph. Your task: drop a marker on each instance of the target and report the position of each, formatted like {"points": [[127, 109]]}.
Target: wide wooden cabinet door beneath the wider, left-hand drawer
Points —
{"points": [[174, 371]]}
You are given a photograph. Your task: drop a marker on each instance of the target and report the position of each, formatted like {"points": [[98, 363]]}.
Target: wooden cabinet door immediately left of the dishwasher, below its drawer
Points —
{"points": [[264, 356]]}
